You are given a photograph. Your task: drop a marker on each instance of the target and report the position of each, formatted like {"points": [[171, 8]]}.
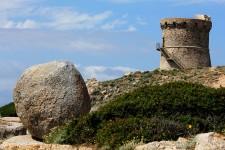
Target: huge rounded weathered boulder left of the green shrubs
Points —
{"points": [[48, 95]]}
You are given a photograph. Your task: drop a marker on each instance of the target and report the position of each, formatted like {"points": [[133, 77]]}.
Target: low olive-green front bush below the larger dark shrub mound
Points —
{"points": [[114, 133]]}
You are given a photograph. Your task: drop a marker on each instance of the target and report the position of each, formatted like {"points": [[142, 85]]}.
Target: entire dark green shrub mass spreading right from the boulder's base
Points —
{"points": [[182, 109]]}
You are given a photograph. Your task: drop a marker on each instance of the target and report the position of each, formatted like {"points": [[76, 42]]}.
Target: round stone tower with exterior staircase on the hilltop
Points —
{"points": [[185, 43]]}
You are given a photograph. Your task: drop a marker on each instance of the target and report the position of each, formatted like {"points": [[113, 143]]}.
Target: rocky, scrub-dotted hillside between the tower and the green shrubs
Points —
{"points": [[102, 92]]}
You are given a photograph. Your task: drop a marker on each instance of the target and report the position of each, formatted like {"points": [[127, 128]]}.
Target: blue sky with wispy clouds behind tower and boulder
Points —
{"points": [[104, 38]]}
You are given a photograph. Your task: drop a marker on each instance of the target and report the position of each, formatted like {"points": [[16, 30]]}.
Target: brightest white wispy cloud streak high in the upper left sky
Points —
{"points": [[57, 18]]}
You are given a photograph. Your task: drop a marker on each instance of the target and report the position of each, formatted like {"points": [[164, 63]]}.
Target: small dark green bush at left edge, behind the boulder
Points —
{"points": [[8, 110]]}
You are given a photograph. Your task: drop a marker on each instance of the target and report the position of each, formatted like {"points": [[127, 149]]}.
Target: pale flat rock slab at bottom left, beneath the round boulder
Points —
{"points": [[27, 143]]}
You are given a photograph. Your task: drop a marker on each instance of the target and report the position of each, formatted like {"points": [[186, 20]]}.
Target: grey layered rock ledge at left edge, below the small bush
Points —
{"points": [[11, 126]]}
